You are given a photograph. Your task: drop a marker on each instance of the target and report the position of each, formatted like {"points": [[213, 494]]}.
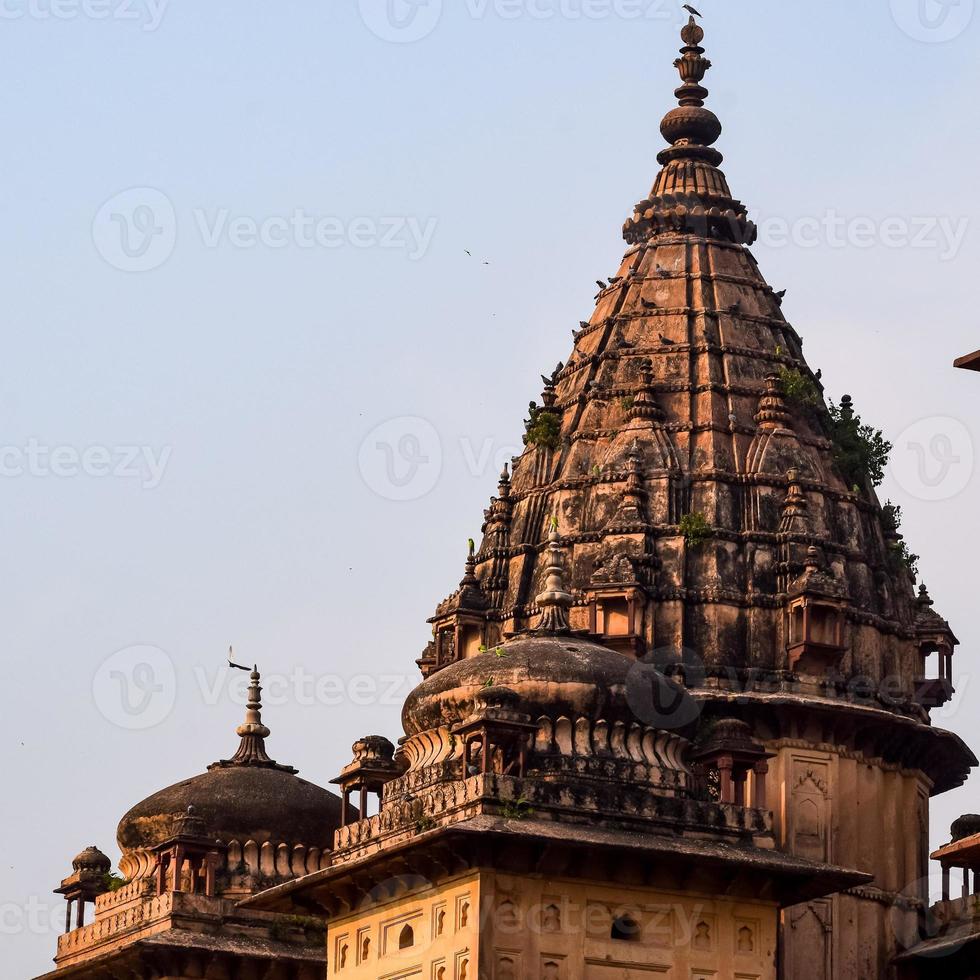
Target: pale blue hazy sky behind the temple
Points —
{"points": [[279, 281]]}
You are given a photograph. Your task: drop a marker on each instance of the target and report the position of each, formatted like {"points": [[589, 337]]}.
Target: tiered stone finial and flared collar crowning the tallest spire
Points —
{"points": [[690, 193]]}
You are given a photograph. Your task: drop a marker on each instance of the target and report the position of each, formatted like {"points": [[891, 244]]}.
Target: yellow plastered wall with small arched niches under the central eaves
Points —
{"points": [[494, 926]]}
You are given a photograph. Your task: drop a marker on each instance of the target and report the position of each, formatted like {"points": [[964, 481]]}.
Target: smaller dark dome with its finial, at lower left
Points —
{"points": [[247, 797]]}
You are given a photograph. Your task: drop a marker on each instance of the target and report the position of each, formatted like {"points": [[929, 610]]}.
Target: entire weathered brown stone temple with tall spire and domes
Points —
{"points": [[674, 722]]}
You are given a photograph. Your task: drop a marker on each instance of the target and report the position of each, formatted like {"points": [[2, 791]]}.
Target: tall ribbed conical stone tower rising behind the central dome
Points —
{"points": [[715, 521]]}
